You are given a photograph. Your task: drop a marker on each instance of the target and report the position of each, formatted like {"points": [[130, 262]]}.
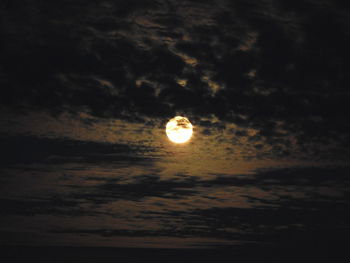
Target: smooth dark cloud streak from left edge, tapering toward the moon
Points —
{"points": [[17, 150]]}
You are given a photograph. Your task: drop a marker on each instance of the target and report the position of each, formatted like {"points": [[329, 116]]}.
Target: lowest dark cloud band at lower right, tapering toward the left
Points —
{"points": [[280, 227]]}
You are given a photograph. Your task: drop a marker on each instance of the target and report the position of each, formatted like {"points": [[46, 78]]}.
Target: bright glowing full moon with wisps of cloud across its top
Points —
{"points": [[179, 129]]}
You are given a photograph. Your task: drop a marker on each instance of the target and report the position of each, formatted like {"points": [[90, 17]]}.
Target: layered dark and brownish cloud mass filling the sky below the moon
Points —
{"points": [[114, 197]]}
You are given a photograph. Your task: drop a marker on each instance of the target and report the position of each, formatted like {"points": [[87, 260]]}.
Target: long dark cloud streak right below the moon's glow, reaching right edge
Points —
{"points": [[106, 189]]}
